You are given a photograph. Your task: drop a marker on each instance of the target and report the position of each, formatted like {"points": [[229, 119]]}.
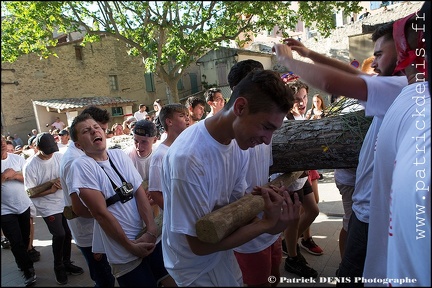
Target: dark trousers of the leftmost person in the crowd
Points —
{"points": [[16, 228]]}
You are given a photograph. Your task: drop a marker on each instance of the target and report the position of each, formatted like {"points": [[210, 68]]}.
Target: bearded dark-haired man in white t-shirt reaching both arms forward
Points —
{"points": [[376, 95]]}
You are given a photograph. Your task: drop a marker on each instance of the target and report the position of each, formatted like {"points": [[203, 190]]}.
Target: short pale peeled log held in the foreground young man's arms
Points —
{"points": [[220, 223]]}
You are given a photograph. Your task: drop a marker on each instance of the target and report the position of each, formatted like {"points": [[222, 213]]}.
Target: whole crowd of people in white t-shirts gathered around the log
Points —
{"points": [[133, 210]]}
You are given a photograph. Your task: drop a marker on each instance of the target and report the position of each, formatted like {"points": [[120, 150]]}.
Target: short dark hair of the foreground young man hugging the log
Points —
{"points": [[265, 92]]}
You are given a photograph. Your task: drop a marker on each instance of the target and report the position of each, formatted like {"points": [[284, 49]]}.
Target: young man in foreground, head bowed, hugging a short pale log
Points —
{"points": [[193, 188]]}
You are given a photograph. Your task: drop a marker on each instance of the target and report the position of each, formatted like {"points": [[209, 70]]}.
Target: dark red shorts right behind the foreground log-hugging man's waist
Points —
{"points": [[257, 267]]}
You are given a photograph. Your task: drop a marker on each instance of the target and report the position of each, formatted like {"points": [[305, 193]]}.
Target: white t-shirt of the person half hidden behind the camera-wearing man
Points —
{"points": [[81, 228]]}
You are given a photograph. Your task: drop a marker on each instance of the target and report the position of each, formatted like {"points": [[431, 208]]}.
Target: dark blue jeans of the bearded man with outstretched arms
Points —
{"points": [[352, 264]]}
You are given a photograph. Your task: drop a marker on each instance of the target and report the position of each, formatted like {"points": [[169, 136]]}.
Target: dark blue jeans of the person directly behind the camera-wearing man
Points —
{"points": [[100, 270]]}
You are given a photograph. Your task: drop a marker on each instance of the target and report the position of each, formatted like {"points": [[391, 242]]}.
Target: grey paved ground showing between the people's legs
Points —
{"points": [[325, 230]]}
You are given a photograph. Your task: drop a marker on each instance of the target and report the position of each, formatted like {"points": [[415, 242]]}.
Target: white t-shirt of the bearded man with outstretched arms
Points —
{"points": [[384, 88]]}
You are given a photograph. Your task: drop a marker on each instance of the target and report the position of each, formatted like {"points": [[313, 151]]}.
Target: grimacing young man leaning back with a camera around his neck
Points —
{"points": [[111, 188]]}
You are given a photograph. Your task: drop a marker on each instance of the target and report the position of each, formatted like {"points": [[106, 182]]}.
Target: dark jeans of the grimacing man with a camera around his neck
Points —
{"points": [[148, 273]]}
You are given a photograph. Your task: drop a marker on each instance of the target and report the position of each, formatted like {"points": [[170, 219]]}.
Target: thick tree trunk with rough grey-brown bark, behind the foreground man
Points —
{"points": [[327, 143]]}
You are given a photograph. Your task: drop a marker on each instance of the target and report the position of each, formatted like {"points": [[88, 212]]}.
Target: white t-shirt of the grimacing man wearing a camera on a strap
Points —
{"points": [[88, 173]]}
